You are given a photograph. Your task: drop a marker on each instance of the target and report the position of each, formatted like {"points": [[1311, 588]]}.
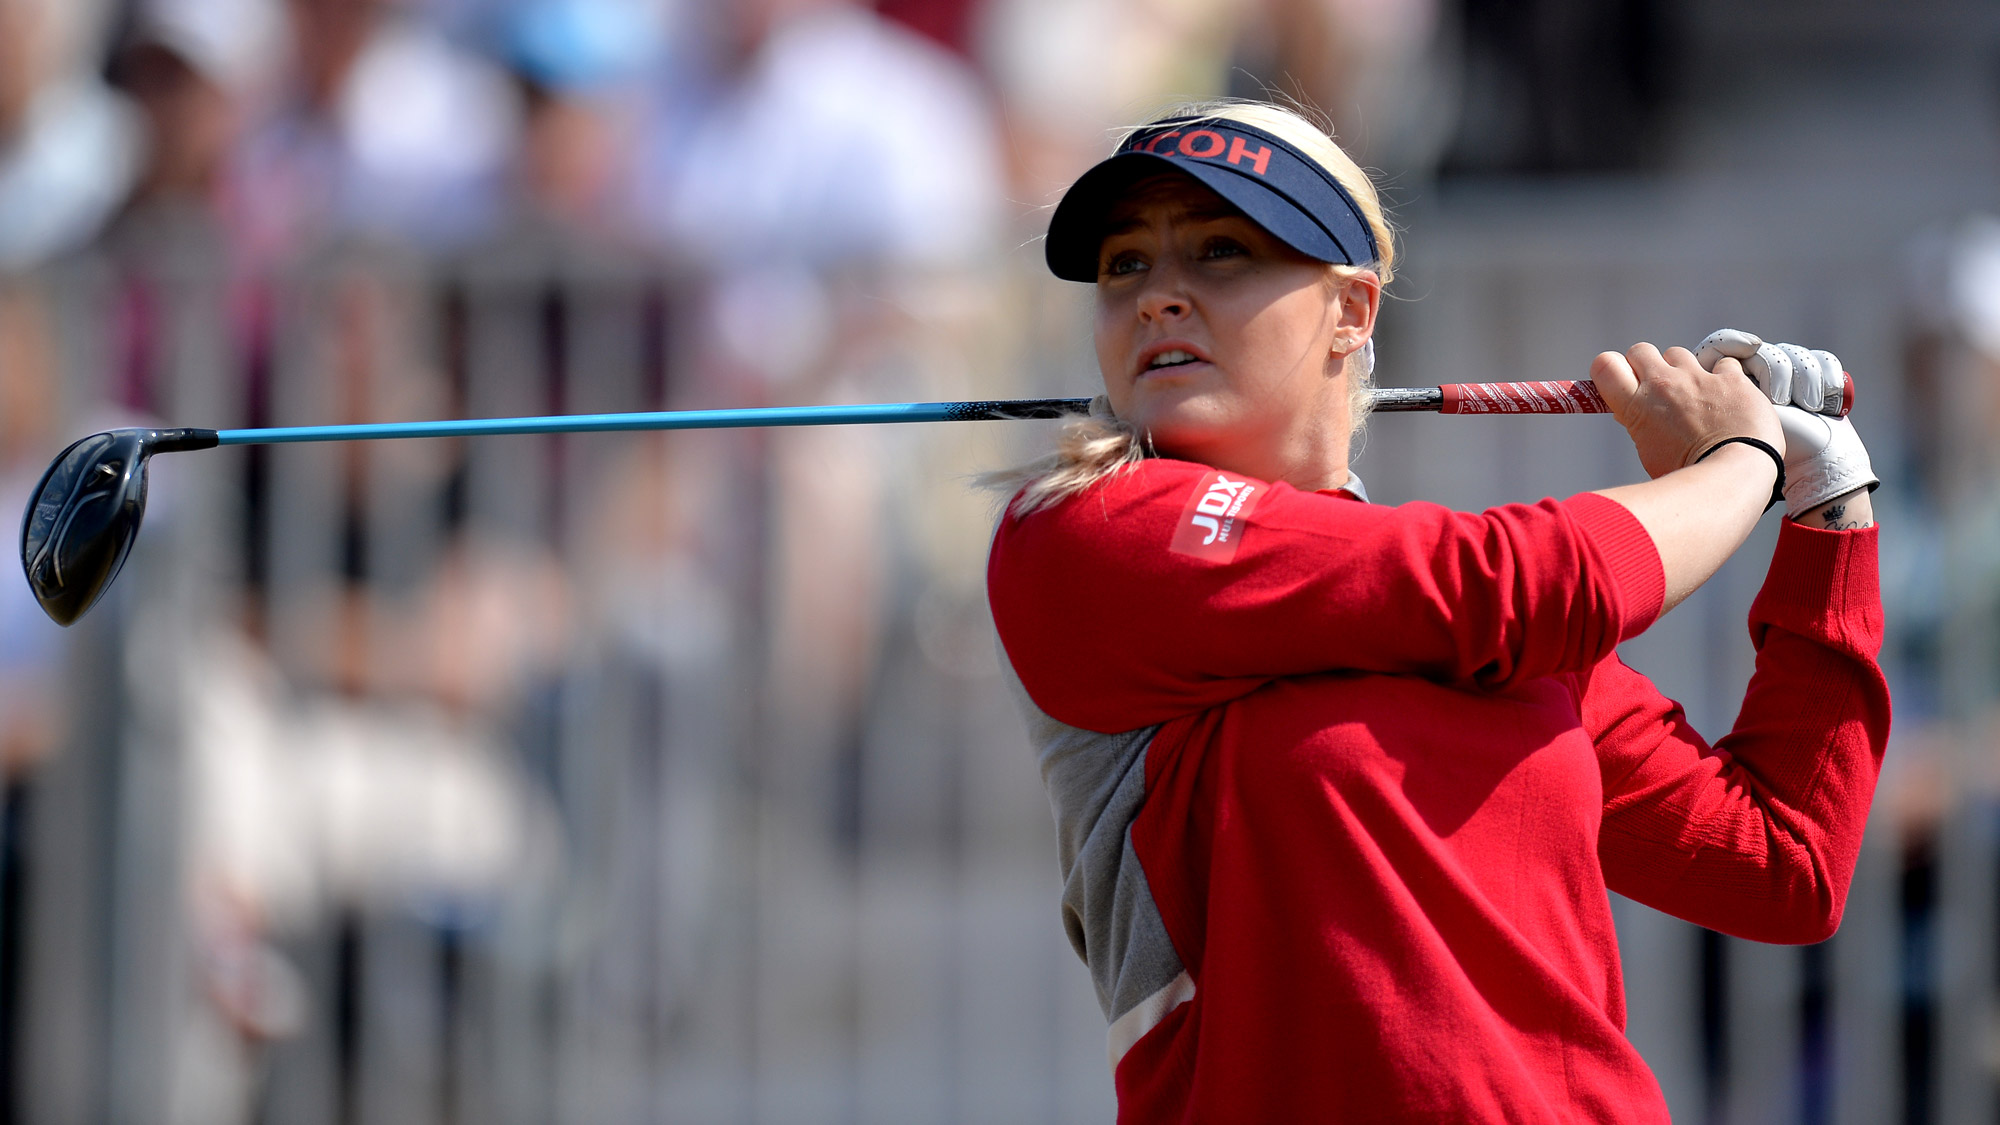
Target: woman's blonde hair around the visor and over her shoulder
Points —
{"points": [[1103, 443]]}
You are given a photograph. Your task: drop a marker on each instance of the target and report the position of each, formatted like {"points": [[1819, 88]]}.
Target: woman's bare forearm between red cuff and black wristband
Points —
{"points": [[1703, 513]]}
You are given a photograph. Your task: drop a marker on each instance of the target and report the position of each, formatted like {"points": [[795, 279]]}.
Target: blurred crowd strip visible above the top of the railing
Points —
{"points": [[727, 133]]}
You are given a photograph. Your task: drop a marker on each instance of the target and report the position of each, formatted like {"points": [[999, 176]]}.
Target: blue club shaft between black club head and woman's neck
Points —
{"points": [[671, 421]]}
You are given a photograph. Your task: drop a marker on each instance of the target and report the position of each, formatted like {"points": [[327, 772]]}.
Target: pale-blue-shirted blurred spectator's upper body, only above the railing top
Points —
{"points": [[831, 137]]}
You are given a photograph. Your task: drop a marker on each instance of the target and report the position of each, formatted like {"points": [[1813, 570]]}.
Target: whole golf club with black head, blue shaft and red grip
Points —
{"points": [[87, 509]]}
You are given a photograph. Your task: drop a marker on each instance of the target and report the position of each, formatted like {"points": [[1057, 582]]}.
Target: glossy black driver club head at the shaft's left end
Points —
{"points": [[87, 511]]}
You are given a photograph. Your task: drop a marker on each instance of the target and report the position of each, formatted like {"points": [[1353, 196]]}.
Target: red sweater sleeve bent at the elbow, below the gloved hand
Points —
{"points": [[1759, 834]]}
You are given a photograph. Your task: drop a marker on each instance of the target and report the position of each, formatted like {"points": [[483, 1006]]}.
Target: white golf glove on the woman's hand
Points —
{"points": [[1823, 457]]}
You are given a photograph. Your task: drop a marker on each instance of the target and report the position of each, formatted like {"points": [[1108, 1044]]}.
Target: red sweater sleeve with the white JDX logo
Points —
{"points": [[1173, 590]]}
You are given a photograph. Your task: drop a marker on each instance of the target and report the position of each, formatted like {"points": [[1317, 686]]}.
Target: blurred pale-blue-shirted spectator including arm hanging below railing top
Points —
{"points": [[827, 145]]}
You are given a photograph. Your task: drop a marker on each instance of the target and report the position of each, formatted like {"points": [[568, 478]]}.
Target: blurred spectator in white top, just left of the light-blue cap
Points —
{"points": [[389, 131]]}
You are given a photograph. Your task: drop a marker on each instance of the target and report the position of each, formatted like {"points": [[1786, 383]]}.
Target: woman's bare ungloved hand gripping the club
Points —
{"points": [[1675, 409]]}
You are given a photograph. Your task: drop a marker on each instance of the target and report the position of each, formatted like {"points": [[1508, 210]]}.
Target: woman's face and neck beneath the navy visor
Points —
{"points": [[1221, 341]]}
